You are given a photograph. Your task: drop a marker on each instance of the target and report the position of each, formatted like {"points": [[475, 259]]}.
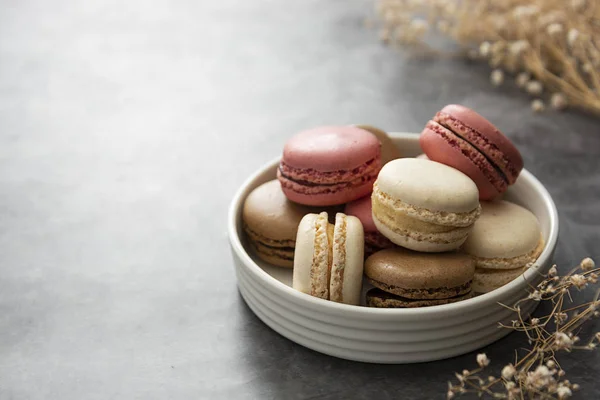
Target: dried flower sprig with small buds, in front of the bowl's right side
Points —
{"points": [[538, 374]]}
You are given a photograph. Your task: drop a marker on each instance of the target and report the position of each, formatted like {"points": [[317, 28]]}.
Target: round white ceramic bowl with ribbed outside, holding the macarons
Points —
{"points": [[385, 335]]}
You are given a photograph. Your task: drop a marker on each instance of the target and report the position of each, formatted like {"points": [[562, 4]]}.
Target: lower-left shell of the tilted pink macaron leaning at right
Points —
{"points": [[445, 147]]}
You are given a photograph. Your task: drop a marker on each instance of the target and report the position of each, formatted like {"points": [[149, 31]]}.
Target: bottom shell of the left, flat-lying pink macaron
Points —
{"points": [[319, 196]]}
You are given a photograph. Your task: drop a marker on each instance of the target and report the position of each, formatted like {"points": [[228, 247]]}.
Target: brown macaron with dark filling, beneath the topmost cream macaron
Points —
{"points": [[426, 277]]}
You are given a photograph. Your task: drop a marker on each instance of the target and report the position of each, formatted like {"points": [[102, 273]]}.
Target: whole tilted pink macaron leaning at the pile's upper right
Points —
{"points": [[459, 137]]}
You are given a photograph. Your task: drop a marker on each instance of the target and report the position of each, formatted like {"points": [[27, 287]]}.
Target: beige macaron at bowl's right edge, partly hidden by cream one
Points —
{"points": [[505, 240]]}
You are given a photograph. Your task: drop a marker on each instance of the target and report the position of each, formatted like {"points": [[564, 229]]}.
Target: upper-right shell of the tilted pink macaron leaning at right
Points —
{"points": [[485, 136]]}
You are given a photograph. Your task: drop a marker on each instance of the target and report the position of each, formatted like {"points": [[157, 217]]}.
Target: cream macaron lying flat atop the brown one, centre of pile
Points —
{"points": [[424, 205]]}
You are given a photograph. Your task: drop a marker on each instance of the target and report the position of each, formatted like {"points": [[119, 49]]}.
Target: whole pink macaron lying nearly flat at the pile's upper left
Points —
{"points": [[329, 165]]}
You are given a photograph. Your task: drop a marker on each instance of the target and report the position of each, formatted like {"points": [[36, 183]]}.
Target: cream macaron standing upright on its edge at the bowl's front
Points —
{"points": [[328, 261]]}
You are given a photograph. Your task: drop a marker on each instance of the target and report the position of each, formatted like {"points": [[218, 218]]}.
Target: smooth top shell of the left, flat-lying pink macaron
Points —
{"points": [[331, 148]]}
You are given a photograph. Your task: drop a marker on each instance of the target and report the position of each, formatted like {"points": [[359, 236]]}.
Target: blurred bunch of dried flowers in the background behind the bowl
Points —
{"points": [[550, 46]]}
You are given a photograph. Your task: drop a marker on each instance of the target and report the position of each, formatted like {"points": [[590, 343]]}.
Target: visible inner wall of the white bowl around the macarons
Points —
{"points": [[527, 192]]}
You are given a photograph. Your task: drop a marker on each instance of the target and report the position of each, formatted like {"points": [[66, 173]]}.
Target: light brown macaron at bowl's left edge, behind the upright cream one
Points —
{"points": [[271, 222]]}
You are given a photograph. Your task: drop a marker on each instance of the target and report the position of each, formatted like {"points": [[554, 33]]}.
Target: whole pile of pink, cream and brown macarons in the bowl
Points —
{"points": [[431, 228]]}
